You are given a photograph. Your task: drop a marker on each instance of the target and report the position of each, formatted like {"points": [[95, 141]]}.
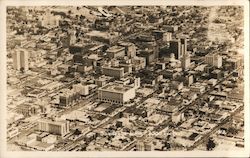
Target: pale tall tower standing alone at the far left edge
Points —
{"points": [[21, 60]]}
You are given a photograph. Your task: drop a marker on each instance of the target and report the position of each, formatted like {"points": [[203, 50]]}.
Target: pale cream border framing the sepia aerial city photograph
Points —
{"points": [[6, 154]]}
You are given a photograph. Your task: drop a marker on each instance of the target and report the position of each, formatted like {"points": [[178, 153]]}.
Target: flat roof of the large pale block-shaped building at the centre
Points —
{"points": [[115, 87]]}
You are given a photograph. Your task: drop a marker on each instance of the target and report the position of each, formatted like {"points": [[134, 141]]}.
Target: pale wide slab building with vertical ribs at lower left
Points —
{"points": [[54, 127]]}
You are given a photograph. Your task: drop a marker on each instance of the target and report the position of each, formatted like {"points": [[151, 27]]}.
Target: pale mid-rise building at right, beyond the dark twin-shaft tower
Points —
{"points": [[214, 59]]}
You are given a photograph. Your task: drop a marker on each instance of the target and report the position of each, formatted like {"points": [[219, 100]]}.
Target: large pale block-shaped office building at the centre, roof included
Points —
{"points": [[116, 93]]}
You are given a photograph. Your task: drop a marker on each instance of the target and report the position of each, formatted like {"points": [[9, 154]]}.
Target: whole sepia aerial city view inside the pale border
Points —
{"points": [[125, 78]]}
